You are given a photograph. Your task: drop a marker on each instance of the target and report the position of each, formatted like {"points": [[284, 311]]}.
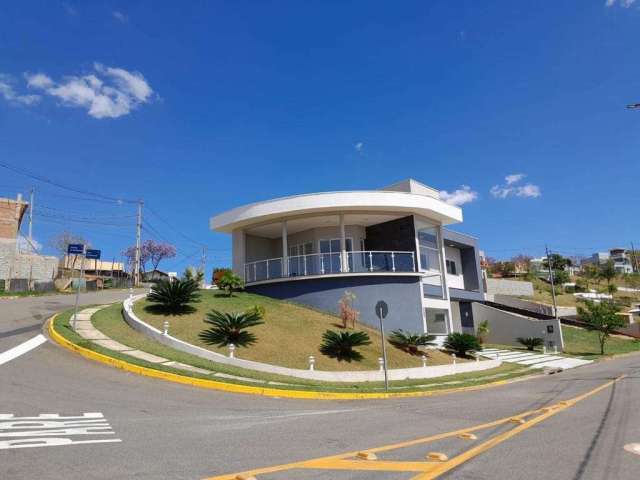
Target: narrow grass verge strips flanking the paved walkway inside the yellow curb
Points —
{"points": [[110, 321]]}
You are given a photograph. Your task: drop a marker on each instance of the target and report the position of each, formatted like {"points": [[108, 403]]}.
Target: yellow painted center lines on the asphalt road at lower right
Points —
{"points": [[428, 470]]}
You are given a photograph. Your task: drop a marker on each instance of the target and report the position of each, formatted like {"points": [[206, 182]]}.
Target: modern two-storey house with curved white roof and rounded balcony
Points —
{"points": [[389, 244]]}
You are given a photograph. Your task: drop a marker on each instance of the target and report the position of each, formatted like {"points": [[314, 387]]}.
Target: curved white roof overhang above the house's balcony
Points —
{"points": [[318, 203]]}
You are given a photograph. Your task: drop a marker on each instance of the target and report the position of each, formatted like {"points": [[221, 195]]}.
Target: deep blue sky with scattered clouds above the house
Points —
{"points": [[199, 107]]}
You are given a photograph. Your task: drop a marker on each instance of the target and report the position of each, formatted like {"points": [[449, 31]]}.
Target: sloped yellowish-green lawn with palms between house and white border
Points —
{"points": [[289, 335]]}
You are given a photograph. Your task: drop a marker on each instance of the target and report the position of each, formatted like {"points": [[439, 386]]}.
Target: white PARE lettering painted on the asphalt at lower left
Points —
{"points": [[55, 428]]}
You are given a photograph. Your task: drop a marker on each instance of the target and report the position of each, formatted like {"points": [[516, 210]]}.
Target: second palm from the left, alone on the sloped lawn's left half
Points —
{"points": [[231, 328]]}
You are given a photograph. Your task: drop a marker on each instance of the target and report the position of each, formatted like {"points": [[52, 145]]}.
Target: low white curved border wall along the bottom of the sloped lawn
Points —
{"points": [[326, 376]]}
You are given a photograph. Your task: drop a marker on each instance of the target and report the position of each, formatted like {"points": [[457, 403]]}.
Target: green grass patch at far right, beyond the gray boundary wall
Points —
{"points": [[584, 343]]}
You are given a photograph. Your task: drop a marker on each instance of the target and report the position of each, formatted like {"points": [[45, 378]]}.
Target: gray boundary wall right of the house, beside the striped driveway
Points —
{"points": [[505, 327]]}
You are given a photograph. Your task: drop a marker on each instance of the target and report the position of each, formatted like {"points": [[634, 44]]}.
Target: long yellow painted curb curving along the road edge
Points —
{"points": [[252, 390]]}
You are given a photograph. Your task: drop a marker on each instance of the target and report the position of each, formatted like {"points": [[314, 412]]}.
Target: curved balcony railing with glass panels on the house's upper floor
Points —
{"points": [[337, 263]]}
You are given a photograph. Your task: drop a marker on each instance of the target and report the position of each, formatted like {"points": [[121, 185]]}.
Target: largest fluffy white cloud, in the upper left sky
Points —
{"points": [[107, 93]]}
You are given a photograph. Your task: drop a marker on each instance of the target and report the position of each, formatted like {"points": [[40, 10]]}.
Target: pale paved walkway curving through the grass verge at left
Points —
{"points": [[86, 330]]}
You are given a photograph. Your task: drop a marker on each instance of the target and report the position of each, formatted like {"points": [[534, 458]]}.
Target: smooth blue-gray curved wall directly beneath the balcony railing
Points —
{"points": [[402, 294]]}
